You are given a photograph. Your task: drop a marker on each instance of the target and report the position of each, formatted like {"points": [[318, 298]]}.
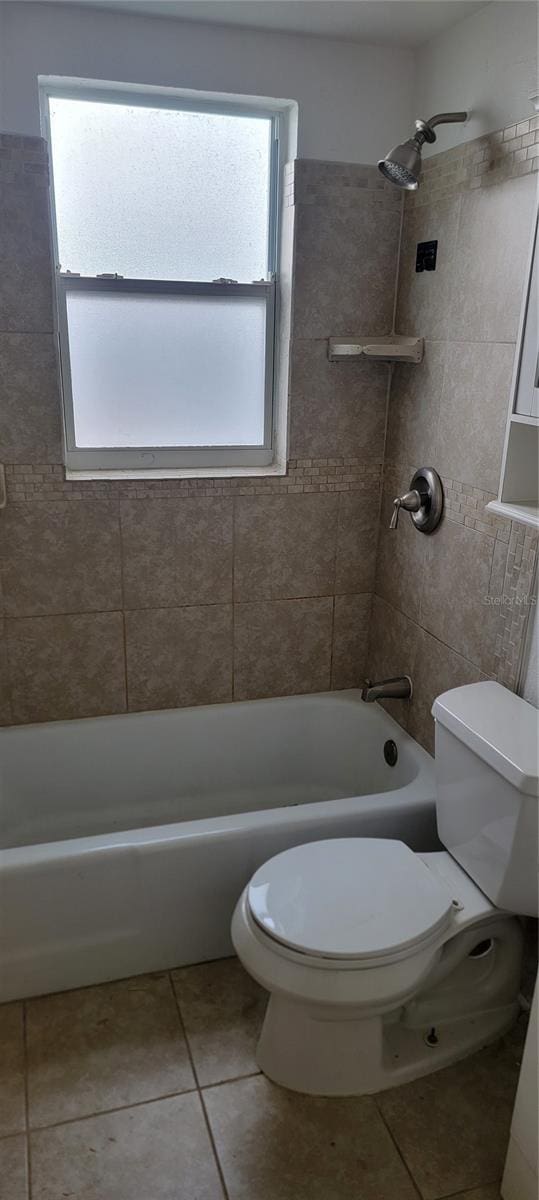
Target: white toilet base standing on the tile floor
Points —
{"points": [[318, 1057]]}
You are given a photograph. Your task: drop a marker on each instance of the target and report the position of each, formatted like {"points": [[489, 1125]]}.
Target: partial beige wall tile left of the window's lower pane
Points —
{"points": [[31, 428]]}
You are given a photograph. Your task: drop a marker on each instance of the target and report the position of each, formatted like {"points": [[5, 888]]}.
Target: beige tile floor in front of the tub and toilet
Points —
{"points": [[148, 1090]]}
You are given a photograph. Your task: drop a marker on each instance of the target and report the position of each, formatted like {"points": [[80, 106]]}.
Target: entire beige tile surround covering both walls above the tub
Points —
{"points": [[152, 593]]}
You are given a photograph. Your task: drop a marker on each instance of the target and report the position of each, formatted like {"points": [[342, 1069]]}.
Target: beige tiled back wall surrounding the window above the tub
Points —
{"points": [[157, 593]]}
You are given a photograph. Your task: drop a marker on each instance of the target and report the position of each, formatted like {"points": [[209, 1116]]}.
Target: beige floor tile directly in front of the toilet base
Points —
{"points": [[273, 1143]]}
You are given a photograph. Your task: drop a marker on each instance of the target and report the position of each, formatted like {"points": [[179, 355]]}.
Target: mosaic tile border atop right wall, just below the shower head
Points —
{"points": [[492, 159]]}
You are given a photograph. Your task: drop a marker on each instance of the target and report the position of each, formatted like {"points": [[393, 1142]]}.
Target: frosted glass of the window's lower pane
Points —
{"points": [[167, 370]]}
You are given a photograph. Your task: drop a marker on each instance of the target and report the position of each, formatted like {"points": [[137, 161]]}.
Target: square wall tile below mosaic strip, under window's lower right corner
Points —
{"points": [[285, 547]]}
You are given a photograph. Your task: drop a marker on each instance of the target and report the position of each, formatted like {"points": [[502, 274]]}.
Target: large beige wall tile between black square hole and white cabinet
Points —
{"points": [[493, 245]]}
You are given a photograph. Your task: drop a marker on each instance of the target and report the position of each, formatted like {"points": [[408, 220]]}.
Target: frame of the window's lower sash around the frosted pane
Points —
{"points": [[160, 458]]}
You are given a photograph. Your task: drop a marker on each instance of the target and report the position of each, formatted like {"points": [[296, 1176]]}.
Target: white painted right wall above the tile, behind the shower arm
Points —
{"points": [[486, 64]]}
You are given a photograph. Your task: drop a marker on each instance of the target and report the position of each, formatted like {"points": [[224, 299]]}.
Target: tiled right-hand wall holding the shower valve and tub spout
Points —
{"points": [[451, 609]]}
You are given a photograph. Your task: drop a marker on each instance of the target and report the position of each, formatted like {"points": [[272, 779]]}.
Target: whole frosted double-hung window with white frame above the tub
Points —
{"points": [[165, 227]]}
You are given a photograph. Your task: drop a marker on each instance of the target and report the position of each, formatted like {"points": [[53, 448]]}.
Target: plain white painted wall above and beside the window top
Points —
{"points": [[354, 100]]}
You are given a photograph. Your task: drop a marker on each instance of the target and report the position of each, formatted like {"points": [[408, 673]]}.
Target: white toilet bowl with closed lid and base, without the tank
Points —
{"points": [[360, 1007]]}
